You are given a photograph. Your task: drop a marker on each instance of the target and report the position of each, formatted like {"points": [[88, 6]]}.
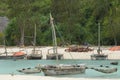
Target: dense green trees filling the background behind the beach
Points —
{"points": [[76, 21]]}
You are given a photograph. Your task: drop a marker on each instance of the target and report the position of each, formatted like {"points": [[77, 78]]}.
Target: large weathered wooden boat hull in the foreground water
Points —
{"points": [[63, 69]]}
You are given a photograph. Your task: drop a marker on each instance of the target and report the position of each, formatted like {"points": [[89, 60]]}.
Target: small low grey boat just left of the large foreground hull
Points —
{"points": [[29, 70]]}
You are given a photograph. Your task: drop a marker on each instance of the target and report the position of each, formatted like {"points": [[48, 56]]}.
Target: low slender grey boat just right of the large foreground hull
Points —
{"points": [[105, 69]]}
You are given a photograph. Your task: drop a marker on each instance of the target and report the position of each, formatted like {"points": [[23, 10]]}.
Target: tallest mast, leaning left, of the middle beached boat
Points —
{"points": [[54, 37]]}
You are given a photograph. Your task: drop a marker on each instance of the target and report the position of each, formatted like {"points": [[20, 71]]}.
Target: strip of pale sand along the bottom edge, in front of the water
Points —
{"points": [[31, 77]]}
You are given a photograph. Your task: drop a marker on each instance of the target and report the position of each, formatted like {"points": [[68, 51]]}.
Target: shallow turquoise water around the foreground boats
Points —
{"points": [[11, 66]]}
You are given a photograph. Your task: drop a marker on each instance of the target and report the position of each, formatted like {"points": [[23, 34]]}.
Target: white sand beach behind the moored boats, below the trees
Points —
{"points": [[112, 55]]}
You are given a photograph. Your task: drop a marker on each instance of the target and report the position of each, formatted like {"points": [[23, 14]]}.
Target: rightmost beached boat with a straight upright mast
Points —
{"points": [[99, 56]]}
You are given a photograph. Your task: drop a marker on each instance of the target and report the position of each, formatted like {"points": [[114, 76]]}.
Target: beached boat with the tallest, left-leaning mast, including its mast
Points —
{"points": [[55, 54]]}
